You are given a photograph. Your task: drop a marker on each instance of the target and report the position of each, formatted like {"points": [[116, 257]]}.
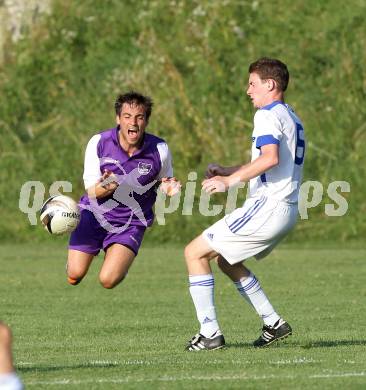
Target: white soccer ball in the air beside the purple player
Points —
{"points": [[60, 214]]}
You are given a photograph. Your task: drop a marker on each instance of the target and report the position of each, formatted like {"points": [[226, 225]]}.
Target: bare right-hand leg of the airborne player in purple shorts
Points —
{"points": [[118, 260]]}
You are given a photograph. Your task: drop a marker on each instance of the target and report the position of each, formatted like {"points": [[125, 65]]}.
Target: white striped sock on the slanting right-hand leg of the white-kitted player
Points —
{"points": [[252, 291]]}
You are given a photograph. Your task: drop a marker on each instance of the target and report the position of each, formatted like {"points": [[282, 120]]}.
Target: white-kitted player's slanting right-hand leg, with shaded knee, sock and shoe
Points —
{"points": [[247, 284]]}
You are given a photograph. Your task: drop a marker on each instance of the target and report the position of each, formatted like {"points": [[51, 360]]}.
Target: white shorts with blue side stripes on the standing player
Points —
{"points": [[252, 230]]}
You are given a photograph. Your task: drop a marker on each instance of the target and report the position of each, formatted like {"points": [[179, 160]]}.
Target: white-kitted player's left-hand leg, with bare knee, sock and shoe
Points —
{"points": [[198, 255]]}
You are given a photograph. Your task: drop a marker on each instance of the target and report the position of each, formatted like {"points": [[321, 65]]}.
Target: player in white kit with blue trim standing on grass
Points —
{"points": [[270, 212]]}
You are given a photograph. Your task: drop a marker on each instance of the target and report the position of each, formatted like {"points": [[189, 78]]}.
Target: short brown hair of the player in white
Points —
{"points": [[270, 68]]}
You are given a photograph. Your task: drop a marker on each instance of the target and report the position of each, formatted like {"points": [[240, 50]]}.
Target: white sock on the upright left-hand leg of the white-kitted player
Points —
{"points": [[201, 288]]}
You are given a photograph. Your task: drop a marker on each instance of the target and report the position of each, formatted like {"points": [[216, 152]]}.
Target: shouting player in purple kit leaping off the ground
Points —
{"points": [[122, 169]]}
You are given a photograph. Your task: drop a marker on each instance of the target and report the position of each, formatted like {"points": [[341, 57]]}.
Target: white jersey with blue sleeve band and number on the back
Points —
{"points": [[278, 124]]}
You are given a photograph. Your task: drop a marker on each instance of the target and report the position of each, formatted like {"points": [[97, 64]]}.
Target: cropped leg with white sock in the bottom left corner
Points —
{"points": [[8, 378]]}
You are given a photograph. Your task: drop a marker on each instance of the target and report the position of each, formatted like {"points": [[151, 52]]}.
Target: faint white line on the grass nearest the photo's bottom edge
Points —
{"points": [[193, 378]]}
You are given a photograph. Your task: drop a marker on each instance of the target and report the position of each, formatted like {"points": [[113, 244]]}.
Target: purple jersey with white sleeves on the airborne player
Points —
{"points": [[132, 202]]}
